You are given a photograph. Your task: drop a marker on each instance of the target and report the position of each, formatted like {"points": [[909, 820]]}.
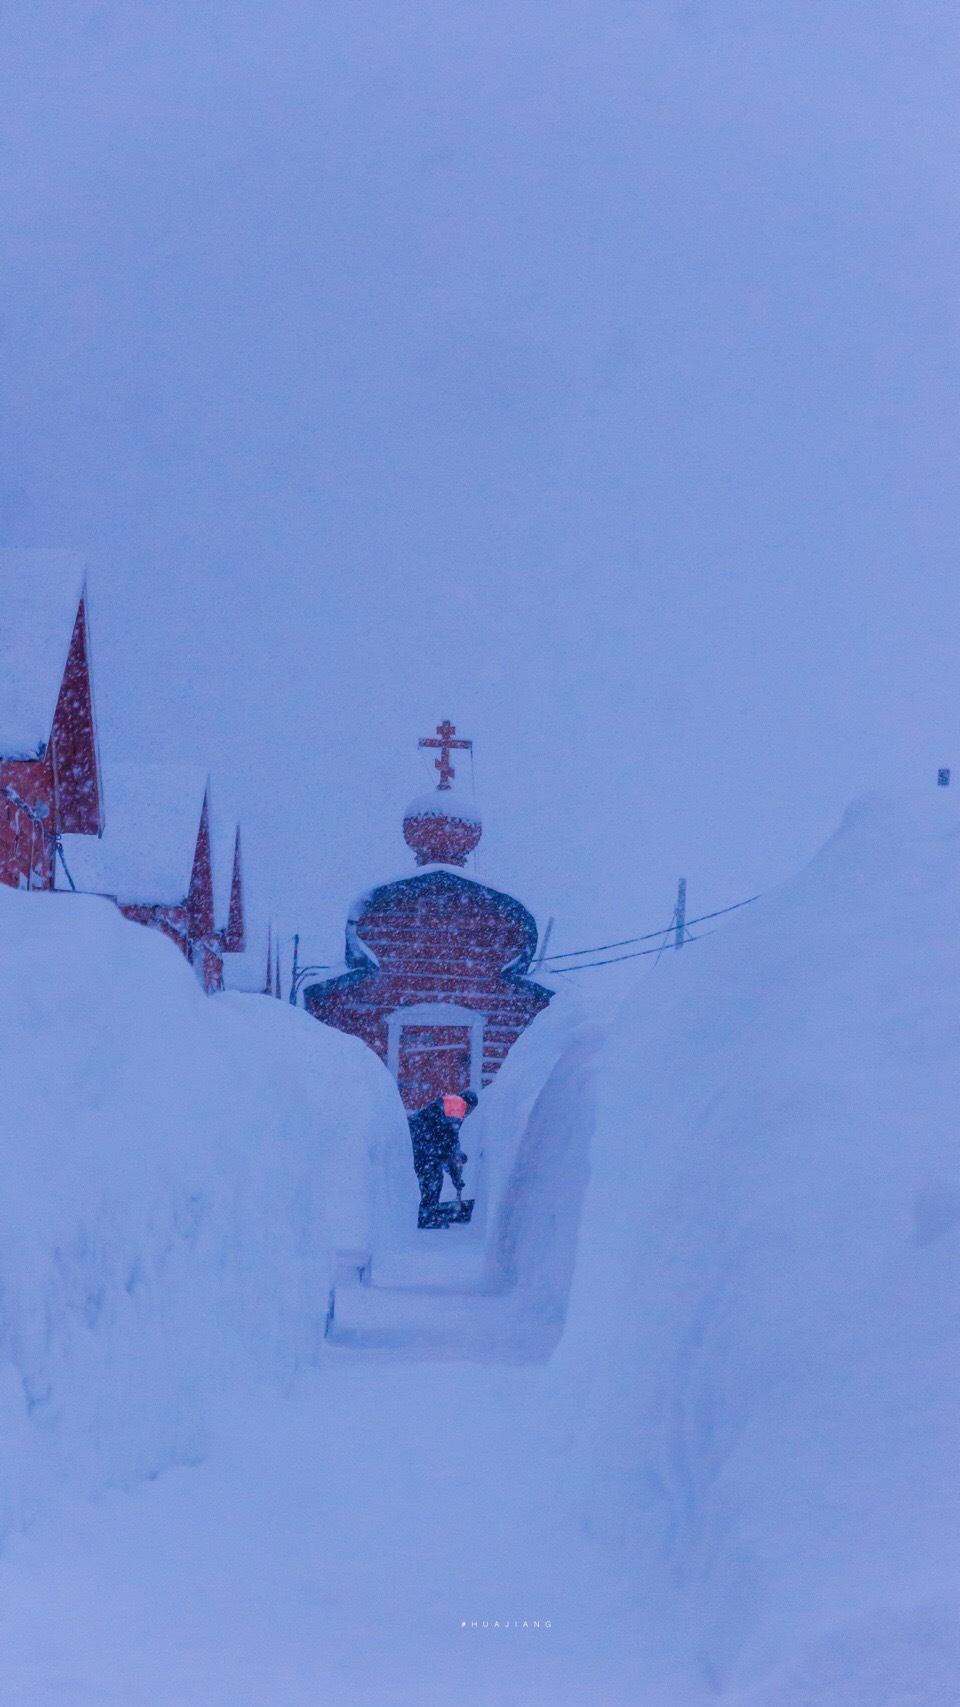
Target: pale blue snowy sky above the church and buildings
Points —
{"points": [[583, 373]]}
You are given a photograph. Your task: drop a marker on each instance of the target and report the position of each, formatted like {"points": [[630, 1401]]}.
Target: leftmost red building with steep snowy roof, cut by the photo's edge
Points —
{"points": [[50, 778]]}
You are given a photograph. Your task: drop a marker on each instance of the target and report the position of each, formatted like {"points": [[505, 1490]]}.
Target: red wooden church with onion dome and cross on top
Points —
{"points": [[436, 964]]}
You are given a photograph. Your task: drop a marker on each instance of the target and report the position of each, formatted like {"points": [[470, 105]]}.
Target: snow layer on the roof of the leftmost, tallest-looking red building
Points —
{"points": [[40, 593]]}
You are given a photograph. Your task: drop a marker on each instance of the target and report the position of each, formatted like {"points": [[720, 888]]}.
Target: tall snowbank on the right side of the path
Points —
{"points": [[764, 1325]]}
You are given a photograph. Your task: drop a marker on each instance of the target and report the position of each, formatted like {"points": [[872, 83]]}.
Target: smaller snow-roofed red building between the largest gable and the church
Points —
{"points": [[168, 863]]}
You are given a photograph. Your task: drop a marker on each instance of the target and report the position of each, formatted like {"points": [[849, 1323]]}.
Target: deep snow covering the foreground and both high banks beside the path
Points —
{"points": [[739, 1476]]}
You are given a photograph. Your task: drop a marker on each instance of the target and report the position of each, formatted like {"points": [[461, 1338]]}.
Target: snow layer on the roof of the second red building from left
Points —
{"points": [[146, 853]]}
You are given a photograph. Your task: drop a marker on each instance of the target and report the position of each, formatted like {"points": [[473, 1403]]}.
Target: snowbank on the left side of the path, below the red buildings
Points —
{"points": [[173, 1174]]}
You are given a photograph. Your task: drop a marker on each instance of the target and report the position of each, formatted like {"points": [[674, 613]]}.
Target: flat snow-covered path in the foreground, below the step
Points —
{"points": [[327, 1553]]}
